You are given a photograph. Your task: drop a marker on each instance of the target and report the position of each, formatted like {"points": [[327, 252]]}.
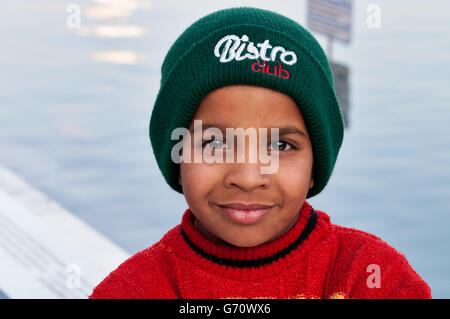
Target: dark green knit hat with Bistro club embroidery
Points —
{"points": [[239, 46]]}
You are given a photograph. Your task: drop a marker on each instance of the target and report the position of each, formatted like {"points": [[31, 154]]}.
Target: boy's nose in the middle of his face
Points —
{"points": [[246, 176]]}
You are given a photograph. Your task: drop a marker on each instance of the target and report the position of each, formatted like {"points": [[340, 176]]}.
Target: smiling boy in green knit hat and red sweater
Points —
{"points": [[249, 233]]}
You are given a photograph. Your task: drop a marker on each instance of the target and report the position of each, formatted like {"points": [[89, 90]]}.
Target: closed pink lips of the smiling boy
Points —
{"points": [[243, 213]]}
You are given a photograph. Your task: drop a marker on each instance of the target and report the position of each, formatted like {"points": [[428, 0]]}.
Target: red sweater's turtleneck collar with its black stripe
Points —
{"points": [[249, 257]]}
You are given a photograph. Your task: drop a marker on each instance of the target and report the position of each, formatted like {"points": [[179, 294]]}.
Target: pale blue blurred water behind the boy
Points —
{"points": [[75, 105]]}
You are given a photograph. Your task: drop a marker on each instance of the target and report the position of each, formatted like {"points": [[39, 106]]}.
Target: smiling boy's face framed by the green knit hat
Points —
{"points": [[217, 193]]}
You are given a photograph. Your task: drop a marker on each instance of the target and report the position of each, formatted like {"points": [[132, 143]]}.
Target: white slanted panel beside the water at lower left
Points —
{"points": [[45, 251]]}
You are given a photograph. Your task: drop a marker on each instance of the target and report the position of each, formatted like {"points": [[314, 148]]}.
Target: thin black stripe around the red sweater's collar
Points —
{"points": [[312, 221]]}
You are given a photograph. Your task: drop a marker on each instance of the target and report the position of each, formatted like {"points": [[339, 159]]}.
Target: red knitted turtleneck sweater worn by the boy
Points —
{"points": [[314, 259]]}
